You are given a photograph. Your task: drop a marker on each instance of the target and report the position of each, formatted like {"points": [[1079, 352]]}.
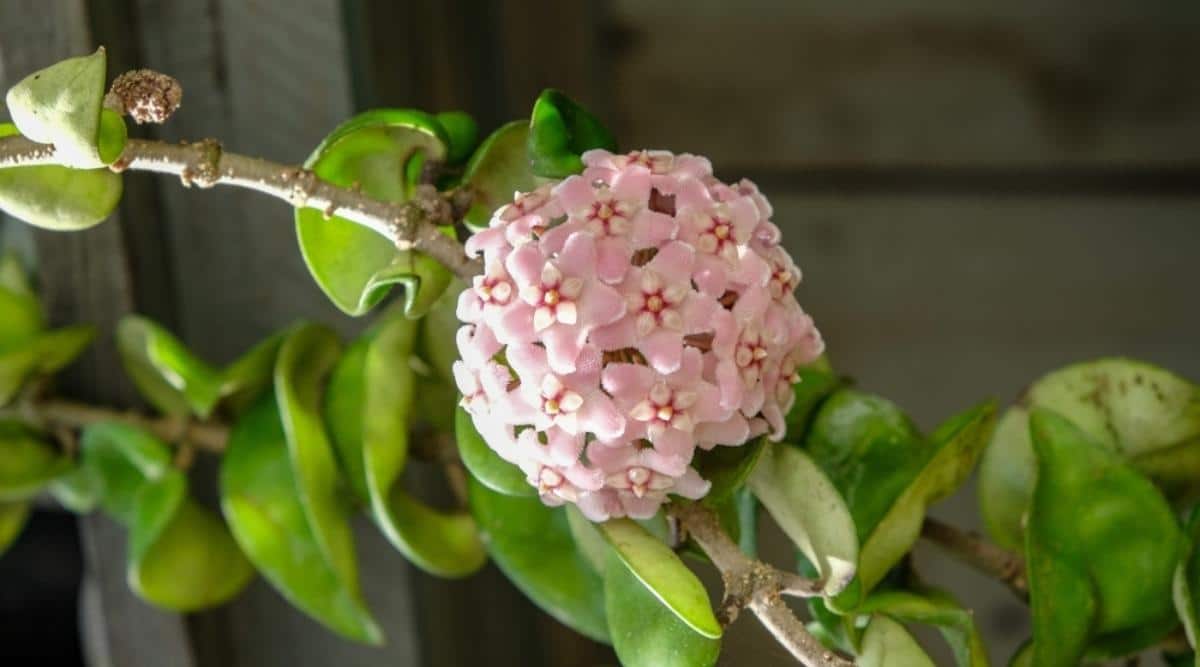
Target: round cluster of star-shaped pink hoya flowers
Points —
{"points": [[626, 317]]}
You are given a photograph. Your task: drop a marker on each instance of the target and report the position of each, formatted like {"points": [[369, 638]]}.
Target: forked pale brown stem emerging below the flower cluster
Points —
{"points": [[757, 586]]}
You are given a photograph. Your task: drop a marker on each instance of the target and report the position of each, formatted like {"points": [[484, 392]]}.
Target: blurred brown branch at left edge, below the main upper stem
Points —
{"points": [[58, 414]]}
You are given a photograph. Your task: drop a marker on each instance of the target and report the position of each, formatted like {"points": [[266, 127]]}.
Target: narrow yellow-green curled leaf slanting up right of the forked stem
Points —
{"points": [[957, 446]]}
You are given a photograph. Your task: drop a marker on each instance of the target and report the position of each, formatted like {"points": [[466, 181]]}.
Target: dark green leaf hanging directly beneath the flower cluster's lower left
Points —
{"points": [[532, 545]]}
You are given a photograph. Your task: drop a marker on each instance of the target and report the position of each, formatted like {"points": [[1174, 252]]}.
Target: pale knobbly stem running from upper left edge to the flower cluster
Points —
{"points": [[206, 165]]}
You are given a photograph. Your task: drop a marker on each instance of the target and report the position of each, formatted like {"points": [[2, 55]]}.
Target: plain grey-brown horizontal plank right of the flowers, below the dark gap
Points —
{"points": [[939, 302]]}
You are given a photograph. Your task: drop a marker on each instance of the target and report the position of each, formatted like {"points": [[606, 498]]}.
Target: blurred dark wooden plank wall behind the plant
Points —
{"points": [[977, 193]]}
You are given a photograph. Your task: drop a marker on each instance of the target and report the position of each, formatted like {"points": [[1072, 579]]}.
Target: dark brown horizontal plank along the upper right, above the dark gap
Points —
{"points": [[915, 82]]}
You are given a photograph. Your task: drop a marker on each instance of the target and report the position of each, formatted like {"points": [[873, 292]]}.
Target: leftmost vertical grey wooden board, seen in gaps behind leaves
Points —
{"points": [[86, 279]]}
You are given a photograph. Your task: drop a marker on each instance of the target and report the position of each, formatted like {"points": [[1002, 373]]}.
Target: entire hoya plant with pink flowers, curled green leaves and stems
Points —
{"points": [[603, 350]]}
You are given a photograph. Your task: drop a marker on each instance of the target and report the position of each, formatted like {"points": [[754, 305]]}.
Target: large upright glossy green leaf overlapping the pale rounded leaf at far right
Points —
{"points": [[1102, 546]]}
